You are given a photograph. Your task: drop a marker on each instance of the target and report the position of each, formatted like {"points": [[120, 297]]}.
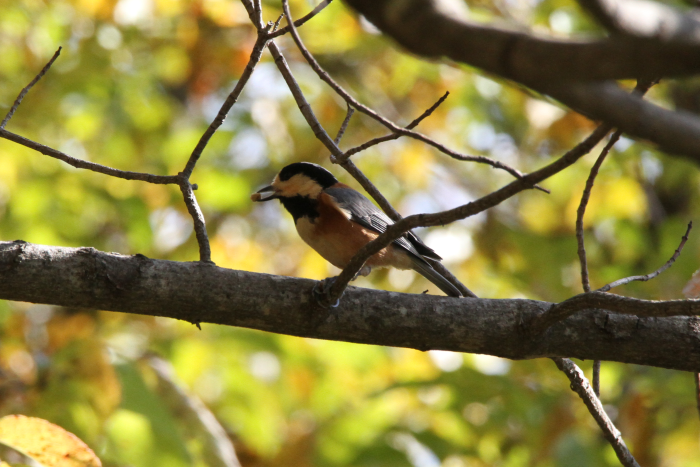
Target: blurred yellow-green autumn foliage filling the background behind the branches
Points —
{"points": [[136, 85]]}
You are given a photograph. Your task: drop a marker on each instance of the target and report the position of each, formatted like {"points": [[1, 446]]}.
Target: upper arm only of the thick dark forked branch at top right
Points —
{"points": [[425, 28]]}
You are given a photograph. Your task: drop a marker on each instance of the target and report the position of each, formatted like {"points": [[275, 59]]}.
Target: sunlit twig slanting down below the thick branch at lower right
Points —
{"points": [[580, 385]]}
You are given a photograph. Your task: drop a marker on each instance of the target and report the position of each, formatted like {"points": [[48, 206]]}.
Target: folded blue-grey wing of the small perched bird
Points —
{"points": [[365, 213]]}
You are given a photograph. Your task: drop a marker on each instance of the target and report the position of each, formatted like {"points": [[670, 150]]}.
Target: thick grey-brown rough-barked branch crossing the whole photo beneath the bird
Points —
{"points": [[202, 292]]}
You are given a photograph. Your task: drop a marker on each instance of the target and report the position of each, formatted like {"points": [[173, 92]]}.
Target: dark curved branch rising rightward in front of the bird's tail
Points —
{"points": [[461, 212]]}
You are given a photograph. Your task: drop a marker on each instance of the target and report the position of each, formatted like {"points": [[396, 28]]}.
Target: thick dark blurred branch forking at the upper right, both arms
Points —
{"points": [[569, 71]]}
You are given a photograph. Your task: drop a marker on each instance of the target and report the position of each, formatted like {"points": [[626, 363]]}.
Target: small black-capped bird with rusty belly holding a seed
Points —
{"points": [[337, 221]]}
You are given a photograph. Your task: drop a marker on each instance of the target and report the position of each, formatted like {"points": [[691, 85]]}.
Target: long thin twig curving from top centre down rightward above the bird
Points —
{"points": [[384, 121]]}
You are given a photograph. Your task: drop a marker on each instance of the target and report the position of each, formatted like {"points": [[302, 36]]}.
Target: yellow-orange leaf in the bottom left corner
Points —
{"points": [[45, 442]]}
